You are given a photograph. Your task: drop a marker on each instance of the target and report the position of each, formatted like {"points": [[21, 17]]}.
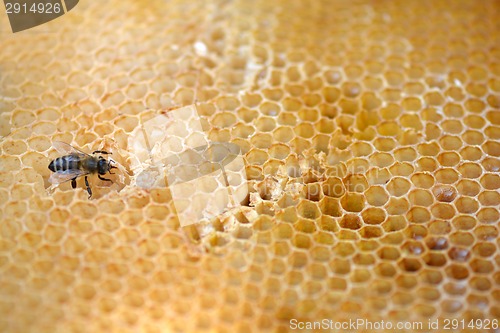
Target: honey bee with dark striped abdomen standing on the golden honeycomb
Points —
{"points": [[76, 163]]}
